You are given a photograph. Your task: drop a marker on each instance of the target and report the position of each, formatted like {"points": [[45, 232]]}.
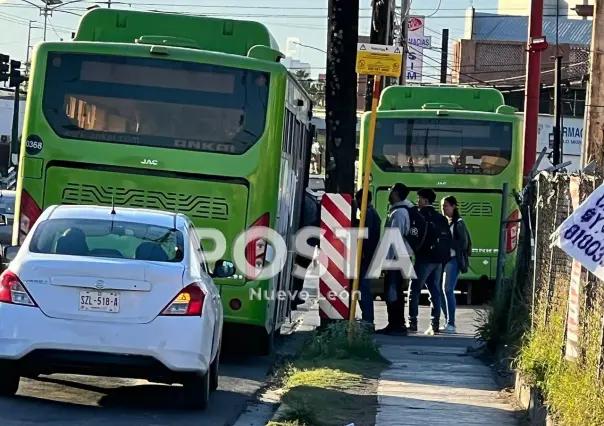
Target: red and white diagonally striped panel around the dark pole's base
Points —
{"points": [[334, 287]]}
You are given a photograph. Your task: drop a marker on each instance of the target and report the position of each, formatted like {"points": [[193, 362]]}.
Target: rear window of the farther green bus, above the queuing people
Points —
{"points": [[443, 146]]}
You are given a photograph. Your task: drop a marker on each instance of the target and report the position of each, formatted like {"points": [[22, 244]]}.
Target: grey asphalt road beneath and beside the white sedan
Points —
{"points": [[64, 400]]}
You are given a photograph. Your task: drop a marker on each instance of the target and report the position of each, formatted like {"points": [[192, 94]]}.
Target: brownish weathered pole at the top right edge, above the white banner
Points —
{"points": [[593, 146]]}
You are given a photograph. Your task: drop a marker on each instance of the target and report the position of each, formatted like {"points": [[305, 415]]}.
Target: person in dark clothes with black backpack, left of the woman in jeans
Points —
{"points": [[429, 262]]}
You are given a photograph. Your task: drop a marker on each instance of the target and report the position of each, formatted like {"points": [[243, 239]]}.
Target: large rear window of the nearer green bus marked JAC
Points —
{"points": [[155, 102]]}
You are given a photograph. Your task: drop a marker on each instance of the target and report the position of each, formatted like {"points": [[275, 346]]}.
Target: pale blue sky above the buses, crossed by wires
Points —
{"points": [[303, 19]]}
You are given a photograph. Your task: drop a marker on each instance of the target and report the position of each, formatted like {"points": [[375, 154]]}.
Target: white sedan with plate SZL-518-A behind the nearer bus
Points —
{"points": [[112, 292]]}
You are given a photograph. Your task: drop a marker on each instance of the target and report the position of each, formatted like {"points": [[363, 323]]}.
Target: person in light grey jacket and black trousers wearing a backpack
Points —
{"points": [[403, 217]]}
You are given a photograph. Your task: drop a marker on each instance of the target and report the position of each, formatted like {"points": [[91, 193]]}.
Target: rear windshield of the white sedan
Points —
{"points": [[106, 238]]}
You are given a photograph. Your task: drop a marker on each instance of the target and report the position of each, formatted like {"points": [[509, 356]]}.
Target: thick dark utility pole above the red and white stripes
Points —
{"points": [[341, 95]]}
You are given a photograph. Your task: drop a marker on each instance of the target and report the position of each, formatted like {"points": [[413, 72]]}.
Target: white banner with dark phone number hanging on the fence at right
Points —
{"points": [[581, 235]]}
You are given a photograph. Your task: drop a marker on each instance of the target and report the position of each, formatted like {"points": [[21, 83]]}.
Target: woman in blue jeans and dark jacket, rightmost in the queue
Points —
{"points": [[458, 263]]}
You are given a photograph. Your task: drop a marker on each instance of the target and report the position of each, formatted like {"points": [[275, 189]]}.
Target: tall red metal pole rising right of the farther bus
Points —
{"points": [[536, 44]]}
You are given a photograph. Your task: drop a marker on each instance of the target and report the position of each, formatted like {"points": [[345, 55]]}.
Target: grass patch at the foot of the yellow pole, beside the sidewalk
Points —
{"points": [[333, 381]]}
